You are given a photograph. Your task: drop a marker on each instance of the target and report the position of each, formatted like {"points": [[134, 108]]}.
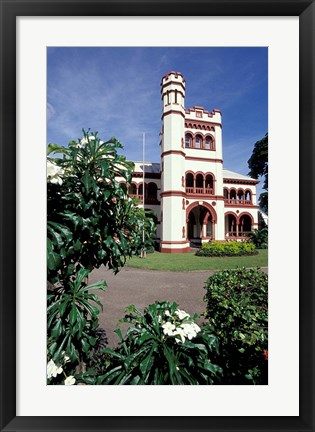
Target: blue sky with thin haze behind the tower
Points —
{"points": [[116, 91]]}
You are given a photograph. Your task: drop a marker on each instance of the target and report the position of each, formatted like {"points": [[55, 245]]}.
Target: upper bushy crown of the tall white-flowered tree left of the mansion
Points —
{"points": [[91, 220]]}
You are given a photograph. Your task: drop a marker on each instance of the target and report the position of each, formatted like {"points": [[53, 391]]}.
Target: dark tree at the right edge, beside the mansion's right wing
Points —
{"points": [[258, 165]]}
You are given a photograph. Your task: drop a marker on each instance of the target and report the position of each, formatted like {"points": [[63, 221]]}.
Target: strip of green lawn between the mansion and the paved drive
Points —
{"points": [[189, 261]]}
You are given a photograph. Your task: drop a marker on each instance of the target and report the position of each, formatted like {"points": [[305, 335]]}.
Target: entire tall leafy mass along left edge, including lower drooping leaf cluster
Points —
{"points": [[91, 221]]}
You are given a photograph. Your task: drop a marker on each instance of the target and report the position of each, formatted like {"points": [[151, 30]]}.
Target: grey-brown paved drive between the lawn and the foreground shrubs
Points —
{"points": [[143, 287]]}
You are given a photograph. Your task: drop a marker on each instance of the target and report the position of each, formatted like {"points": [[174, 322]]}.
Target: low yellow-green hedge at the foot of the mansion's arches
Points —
{"points": [[230, 248]]}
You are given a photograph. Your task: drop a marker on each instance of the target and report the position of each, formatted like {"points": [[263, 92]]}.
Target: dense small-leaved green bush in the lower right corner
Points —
{"points": [[237, 312]]}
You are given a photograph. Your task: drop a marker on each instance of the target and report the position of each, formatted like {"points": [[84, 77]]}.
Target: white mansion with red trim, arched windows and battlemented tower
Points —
{"points": [[193, 197]]}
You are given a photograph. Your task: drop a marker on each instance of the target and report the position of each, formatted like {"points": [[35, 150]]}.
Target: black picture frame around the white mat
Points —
{"points": [[10, 9]]}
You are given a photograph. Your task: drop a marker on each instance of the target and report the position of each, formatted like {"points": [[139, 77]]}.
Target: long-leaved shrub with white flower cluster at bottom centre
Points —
{"points": [[163, 345]]}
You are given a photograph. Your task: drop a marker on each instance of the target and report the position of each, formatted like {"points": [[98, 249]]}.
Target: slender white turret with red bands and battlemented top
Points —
{"points": [[173, 213]]}
